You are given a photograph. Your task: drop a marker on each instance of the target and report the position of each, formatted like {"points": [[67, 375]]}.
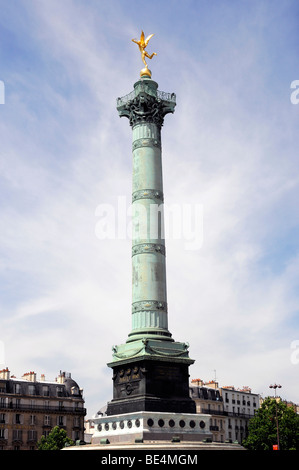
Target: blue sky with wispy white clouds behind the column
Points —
{"points": [[231, 147]]}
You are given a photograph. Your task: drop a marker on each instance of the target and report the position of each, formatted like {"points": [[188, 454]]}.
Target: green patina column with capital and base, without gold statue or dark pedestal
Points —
{"points": [[146, 107]]}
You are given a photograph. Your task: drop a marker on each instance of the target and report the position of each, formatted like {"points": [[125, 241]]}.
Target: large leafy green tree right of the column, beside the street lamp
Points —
{"points": [[262, 428]]}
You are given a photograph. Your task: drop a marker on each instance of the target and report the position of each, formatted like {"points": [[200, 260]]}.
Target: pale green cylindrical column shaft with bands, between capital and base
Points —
{"points": [[149, 297]]}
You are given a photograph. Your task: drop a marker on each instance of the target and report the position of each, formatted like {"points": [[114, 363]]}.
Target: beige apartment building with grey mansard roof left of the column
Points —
{"points": [[30, 408]]}
